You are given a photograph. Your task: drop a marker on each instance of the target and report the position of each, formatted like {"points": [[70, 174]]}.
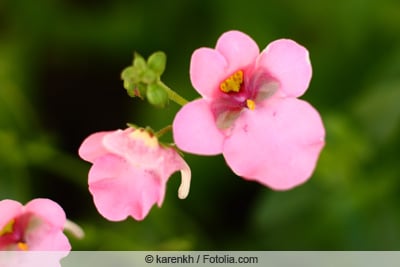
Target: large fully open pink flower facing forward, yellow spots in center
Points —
{"points": [[249, 110]]}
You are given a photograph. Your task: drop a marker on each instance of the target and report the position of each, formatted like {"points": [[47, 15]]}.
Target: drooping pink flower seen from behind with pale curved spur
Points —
{"points": [[130, 171]]}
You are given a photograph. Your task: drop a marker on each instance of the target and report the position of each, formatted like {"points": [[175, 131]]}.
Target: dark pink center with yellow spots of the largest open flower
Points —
{"points": [[243, 89]]}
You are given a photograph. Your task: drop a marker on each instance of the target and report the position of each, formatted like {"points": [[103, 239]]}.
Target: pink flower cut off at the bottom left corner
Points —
{"points": [[37, 226]]}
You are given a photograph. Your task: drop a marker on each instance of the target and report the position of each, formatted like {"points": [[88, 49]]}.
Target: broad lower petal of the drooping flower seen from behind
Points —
{"points": [[120, 189]]}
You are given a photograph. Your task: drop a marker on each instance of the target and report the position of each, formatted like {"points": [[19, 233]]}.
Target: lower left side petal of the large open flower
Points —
{"points": [[195, 130]]}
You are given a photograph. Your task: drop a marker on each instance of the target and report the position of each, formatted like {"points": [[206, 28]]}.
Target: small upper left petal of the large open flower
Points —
{"points": [[207, 70]]}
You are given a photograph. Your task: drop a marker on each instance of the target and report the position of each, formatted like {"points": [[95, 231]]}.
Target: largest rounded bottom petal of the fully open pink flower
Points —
{"points": [[277, 144]]}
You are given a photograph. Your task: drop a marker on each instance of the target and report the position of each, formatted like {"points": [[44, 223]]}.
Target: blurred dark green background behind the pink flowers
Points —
{"points": [[60, 64]]}
